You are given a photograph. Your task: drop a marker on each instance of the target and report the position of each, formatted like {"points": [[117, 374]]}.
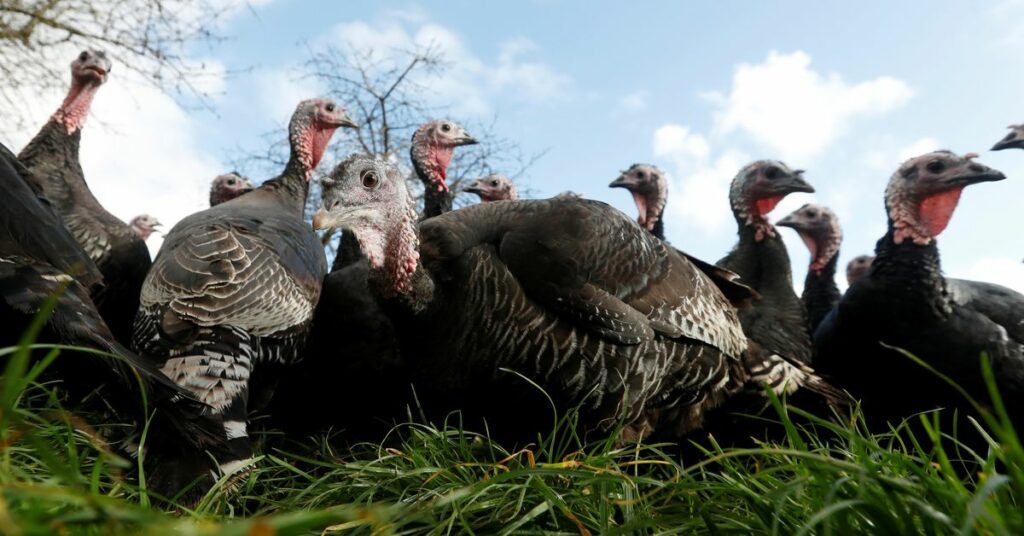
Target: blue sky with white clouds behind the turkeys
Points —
{"points": [[844, 91]]}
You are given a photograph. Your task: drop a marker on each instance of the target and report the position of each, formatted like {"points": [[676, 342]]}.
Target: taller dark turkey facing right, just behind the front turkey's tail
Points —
{"points": [[778, 320]]}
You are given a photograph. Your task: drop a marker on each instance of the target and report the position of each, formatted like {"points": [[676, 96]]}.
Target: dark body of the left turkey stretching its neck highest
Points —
{"points": [[53, 163]]}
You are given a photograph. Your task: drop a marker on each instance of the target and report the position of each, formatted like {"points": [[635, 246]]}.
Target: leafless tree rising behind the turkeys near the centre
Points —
{"points": [[385, 93]]}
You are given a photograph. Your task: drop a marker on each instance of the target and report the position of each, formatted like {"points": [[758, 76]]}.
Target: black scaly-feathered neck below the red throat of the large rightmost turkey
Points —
{"points": [[912, 274]]}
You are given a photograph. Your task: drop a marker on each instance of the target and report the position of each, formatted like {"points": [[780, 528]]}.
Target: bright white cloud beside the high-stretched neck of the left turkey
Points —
{"points": [[141, 151]]}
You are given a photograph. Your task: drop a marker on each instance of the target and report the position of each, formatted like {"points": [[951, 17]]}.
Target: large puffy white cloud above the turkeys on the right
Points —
{"points": [[785, 105]]}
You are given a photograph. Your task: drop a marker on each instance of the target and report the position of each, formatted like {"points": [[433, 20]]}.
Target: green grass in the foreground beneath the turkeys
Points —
{"points": [[818, 478]]}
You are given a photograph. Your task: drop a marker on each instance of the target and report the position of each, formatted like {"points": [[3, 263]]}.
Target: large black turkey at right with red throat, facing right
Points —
{"points": [[905, 302]]}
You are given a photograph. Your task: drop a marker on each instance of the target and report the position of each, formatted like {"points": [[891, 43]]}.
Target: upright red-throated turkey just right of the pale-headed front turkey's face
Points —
{"points": [[434, 145]]}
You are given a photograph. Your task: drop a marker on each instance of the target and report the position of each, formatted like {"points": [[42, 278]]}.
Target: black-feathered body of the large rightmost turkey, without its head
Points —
{"points": [[905, 302]]}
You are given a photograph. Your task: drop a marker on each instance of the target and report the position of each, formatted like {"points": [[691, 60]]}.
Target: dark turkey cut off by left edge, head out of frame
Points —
{"points": [[40, 260]]}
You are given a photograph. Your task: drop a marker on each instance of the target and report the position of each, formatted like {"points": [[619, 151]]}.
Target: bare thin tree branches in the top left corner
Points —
{"points": [[151, 37]]}
